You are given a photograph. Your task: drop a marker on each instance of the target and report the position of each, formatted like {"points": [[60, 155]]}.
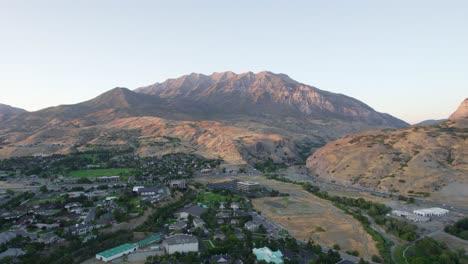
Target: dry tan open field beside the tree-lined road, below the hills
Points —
{"points": [[307, 216]]}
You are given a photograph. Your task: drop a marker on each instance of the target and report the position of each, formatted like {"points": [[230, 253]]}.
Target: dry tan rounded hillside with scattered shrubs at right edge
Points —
{"points": [[418, 160]]}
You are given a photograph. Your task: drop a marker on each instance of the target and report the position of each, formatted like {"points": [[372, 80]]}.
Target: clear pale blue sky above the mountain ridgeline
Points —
{"points": [[406, 58]]}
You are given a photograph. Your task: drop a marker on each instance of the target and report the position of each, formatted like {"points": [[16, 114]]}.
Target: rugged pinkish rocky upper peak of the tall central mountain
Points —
{"points": [[227, 93]]}
